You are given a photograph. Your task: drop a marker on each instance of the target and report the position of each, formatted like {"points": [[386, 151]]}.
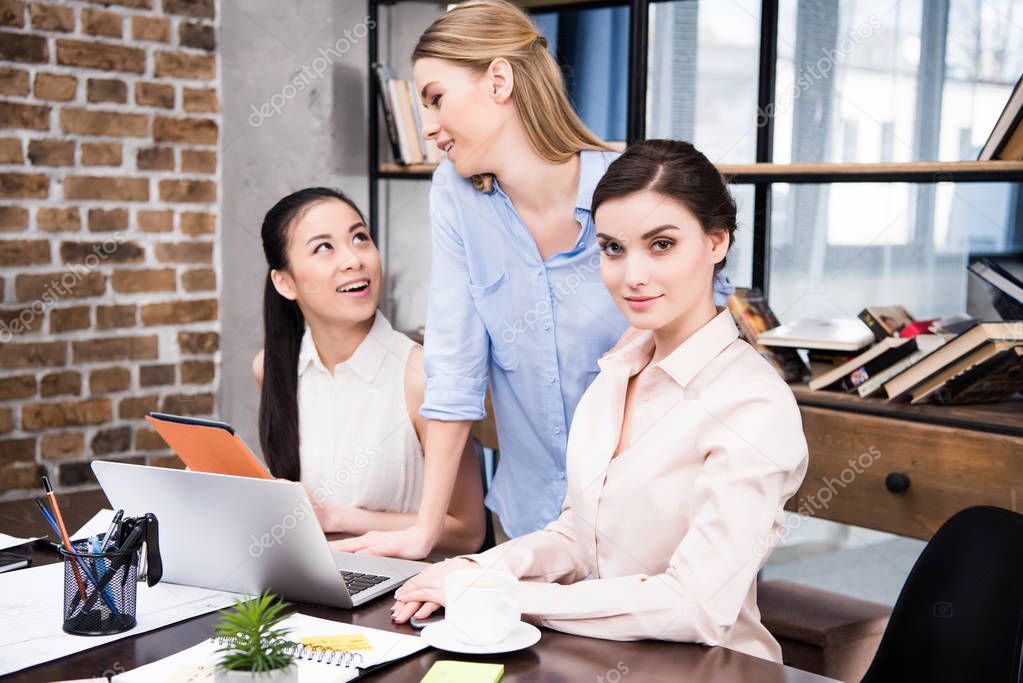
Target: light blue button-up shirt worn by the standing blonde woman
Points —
{"points": [[533, 329]]}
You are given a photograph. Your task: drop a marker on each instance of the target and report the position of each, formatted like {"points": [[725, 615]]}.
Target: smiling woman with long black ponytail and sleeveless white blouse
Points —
{"points": [[341, 390]]}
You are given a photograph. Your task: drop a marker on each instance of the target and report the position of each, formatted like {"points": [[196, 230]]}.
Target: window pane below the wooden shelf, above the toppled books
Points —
{"points": [[839, 248]]}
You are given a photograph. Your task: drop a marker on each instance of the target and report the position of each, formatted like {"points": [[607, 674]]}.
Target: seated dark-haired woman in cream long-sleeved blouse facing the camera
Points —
{"points": [[683, 452]]}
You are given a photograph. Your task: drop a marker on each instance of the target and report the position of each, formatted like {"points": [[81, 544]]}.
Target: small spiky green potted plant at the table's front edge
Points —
{"points": [[255, 649]]}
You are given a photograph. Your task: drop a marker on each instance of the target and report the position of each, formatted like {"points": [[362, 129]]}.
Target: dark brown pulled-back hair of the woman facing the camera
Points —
{"points": [[677, 170]]}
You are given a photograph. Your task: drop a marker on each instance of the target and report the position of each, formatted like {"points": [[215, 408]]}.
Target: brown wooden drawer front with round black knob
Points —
{"points": [[954, 457]]}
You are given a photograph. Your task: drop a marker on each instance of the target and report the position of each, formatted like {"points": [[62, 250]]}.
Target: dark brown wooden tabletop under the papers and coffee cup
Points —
{"points": [[557, 658]]}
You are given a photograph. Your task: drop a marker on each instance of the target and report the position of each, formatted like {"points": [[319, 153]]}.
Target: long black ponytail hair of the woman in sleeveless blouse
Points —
{"points": [[284, 327]]}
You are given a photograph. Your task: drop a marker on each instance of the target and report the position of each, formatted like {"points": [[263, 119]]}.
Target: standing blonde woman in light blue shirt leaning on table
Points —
{"points": [[516, 298]]}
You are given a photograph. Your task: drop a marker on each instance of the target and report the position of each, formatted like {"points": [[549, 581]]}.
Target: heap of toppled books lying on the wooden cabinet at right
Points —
{"points": [[886, 353]]}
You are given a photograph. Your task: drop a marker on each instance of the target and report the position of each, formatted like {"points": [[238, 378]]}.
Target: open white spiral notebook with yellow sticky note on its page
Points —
{"points": [[318, 663]]}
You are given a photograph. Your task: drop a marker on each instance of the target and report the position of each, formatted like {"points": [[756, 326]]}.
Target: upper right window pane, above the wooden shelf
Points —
{"points": [[877, 81]]}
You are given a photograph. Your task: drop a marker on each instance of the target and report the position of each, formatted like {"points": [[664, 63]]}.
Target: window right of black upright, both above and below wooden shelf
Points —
{"points": [[881, 81]]}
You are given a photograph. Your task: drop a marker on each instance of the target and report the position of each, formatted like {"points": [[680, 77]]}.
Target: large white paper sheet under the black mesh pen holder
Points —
{"points": [[31, 615]]}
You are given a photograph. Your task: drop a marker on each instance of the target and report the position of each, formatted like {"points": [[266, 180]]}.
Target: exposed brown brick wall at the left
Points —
{"points": [[110, 121]]}
